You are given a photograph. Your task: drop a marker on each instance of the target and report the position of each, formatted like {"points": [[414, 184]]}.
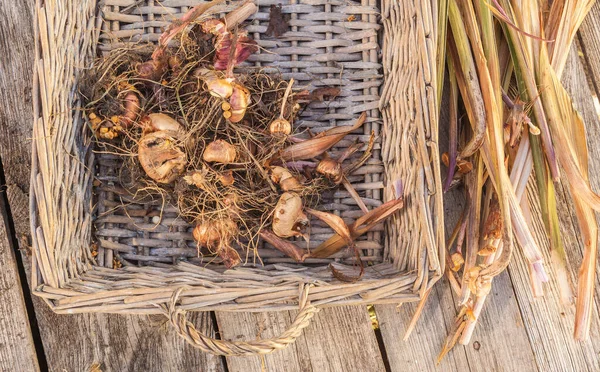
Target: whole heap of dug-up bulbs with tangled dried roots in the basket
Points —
{"points": [[220, 144]]}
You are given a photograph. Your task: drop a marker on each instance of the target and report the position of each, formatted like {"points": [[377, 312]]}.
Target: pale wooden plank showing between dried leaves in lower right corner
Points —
{"points": [[549, 323]]}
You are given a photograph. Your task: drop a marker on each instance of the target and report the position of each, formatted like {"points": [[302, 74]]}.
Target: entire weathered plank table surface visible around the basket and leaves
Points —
{"points": [[515, 333]]}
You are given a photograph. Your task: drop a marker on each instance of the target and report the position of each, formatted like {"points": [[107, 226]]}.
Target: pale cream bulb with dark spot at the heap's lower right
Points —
{"points": [[289, 219]]}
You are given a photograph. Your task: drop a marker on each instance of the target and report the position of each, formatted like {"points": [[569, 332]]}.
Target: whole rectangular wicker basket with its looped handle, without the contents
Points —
{"points": [[98, 250]]}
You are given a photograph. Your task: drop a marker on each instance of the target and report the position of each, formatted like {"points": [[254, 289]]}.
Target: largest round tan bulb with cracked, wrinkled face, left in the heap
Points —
{"points": [[161, 157]]}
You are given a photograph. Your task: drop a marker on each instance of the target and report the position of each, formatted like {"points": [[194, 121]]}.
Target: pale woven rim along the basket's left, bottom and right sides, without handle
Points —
{"points": [[141, 290]]}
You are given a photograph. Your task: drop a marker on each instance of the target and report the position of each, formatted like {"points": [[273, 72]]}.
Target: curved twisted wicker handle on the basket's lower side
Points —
{"points": [[186, 329]]}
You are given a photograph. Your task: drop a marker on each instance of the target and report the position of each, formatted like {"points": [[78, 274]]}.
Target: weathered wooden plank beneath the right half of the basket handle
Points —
{"points": [[338, 339]]}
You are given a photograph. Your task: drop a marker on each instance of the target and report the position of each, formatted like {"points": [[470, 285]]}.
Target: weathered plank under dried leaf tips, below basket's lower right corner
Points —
{"points": [[499, 343]]}
